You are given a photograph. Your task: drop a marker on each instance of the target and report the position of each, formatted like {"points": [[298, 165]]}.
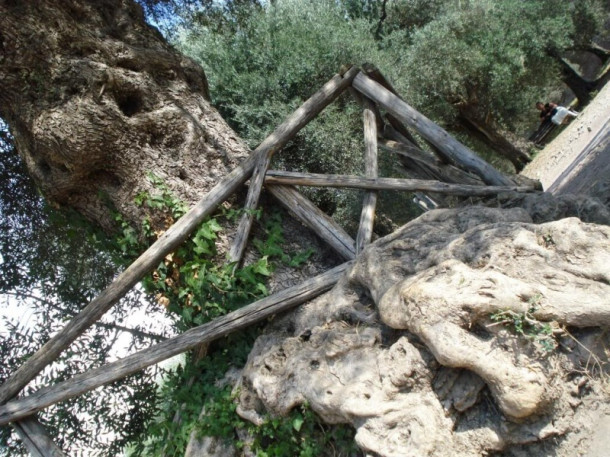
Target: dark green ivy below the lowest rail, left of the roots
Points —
{"points": [[197, 386]]}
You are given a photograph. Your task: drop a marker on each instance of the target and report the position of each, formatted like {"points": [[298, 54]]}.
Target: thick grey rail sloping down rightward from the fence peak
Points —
{"points": [[457, 152]]}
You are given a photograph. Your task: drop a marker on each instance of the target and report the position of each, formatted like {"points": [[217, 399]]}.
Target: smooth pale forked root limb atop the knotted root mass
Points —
{"points": [[551, 262]]}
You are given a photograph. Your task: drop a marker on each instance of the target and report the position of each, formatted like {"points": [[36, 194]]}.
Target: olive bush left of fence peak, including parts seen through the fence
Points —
{"points": [[262, 67]]}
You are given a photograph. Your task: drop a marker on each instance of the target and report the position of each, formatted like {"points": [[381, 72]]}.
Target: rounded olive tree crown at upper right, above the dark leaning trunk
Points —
{"points": [[490, 56]]}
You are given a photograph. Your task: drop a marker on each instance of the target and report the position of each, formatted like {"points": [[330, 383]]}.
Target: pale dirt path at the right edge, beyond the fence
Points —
{"points": [[578, 160]]}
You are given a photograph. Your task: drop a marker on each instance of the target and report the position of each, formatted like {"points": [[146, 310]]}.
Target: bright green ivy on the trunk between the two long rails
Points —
{"points": [[195, 282]]}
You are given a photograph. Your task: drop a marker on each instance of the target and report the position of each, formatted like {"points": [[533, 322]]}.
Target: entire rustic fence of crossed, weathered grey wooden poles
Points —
{"points": [[374, 95]]}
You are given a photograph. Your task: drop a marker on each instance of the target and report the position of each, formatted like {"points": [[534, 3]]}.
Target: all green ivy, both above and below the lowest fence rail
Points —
{"points": [[197, 284]]}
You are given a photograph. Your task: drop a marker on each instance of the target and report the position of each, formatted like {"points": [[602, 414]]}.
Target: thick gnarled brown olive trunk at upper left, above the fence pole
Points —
{"points": [[96, 98]]}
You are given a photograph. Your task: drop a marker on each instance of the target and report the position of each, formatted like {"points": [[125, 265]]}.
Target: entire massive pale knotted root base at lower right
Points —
{"points": [[404, 346]]}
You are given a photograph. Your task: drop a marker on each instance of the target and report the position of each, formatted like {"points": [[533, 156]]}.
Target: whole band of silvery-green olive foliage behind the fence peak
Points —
{"points": [[474, 66]]}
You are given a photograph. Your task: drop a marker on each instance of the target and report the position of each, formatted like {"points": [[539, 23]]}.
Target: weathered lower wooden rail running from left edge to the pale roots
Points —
{"points": [[250, 314]]}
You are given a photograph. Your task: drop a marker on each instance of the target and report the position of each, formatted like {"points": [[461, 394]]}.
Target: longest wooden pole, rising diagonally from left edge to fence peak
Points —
{"points": [[169, 241]]}
